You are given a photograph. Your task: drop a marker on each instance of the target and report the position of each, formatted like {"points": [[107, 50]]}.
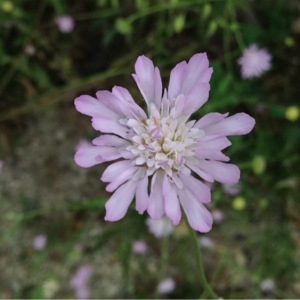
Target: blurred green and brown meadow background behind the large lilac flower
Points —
{"points": [[54, 242]]}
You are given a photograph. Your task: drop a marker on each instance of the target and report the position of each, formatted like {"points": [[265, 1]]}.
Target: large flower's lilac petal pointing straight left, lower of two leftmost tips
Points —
{"points": [[90, 156]]}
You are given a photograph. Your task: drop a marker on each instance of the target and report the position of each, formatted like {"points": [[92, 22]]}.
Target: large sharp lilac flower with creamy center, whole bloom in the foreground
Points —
{"points": [[159, 150]]}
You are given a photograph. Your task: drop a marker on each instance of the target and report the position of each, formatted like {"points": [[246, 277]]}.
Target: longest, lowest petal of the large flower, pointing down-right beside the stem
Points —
{"points": [[197, 214]]}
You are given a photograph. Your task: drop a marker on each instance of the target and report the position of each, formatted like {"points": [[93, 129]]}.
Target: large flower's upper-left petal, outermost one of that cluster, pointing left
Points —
{"points": [[91, 106]]}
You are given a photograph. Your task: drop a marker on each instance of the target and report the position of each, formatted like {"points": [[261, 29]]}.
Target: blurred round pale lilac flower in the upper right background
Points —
{"points": [[254, 61]]}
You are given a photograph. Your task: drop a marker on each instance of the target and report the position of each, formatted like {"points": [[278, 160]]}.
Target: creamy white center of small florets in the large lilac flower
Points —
{"points": [[162, 142]]}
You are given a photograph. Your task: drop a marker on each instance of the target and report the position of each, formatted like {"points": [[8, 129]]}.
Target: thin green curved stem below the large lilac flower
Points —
{"points": [[207, 288]]}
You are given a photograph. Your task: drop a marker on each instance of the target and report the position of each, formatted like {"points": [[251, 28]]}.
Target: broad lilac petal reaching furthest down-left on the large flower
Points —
{"points": [[117, 205]]}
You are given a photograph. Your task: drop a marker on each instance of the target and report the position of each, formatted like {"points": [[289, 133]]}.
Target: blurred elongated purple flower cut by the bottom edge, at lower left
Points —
{"points": [[79, 282]]}
